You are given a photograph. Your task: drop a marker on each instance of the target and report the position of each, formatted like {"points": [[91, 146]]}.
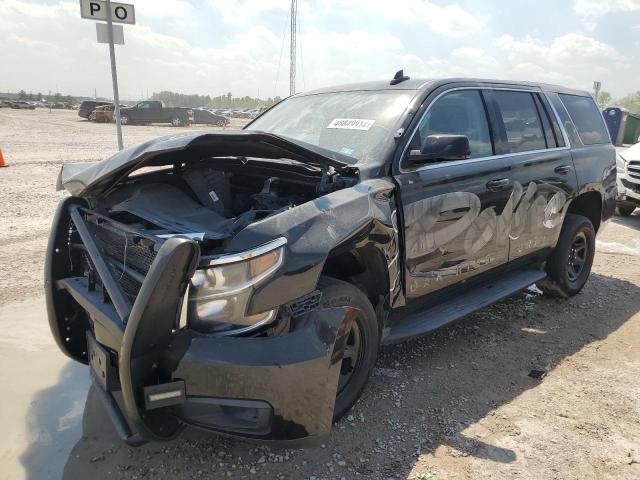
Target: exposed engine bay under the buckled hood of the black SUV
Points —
{"points": [[212, 199]]}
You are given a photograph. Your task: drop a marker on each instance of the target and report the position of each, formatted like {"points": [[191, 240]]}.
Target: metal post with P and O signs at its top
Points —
{"points": [[102, 10]]}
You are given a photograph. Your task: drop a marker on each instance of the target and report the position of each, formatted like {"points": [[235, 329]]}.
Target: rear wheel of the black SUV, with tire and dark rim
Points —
{"points": [[569, 265]]}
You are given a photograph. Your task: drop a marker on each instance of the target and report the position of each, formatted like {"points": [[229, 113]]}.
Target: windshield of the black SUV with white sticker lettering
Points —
{"points": [[351, 123]]}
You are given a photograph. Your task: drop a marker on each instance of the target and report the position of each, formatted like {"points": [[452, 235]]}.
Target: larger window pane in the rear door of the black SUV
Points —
{"points": [[521, 121]]}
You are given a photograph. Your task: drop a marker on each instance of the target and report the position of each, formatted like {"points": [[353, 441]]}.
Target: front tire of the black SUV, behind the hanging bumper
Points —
{"points": [[337, 293]]}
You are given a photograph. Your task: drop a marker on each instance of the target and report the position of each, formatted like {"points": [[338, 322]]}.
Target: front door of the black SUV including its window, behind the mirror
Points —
{"points": [[453, 223]]}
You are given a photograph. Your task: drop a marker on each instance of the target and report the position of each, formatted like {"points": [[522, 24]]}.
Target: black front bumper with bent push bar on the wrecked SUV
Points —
{"points": [[279, 388]]}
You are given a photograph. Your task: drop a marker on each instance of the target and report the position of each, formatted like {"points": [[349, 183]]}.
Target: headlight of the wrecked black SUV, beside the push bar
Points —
{"points": [[219, 294]]}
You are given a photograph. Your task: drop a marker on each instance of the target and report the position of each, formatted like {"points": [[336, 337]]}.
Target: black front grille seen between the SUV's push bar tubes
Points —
{"points": [[129, 256]]}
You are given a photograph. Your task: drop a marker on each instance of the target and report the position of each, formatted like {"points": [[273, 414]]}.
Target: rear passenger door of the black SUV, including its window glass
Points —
{"points": [[540, 162]]}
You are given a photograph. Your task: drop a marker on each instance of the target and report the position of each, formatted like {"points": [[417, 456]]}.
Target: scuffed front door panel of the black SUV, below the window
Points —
{"points": [[454, 226]]}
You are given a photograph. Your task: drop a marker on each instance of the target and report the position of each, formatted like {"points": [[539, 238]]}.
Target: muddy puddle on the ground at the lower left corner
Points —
{"points": [[42, 413]]}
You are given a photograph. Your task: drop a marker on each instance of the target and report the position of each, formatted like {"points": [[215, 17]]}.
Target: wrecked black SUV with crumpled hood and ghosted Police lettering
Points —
{"points": [[244, 281]]}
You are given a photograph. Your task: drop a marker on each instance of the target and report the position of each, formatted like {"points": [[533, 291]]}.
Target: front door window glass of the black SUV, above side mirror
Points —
{"points": [[460, 112]]}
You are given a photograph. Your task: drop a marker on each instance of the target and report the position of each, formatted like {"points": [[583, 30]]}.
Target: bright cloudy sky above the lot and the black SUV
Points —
{"points": [[216, 46]]}
